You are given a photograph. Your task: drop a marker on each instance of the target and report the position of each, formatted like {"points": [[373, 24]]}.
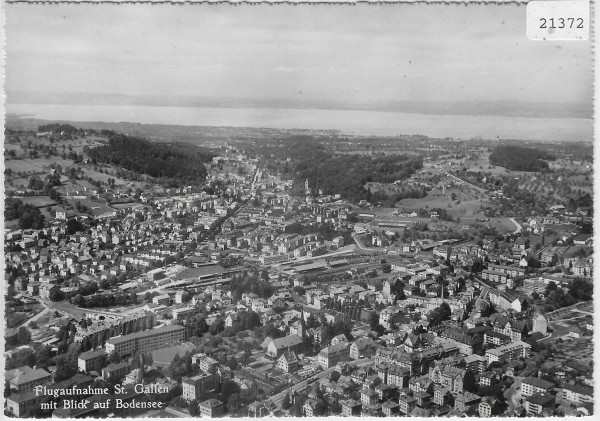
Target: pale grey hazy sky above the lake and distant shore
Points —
{"points": [[363, 54]]}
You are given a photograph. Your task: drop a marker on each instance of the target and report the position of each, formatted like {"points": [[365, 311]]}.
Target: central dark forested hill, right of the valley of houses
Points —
{"points": [[346, 174]]}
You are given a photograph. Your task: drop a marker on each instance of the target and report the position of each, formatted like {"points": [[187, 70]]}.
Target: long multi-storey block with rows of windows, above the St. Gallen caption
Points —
{"points": [[146, 341]]}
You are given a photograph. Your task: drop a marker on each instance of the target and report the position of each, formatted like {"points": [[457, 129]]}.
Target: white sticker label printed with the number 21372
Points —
{"points": [[558, 20]]}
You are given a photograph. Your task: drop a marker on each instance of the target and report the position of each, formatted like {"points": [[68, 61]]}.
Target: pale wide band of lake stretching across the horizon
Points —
{"points": [[348, 121]]}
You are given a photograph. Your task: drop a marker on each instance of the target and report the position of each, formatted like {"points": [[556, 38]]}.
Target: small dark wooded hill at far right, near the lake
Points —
{"points": [[518, 158]]}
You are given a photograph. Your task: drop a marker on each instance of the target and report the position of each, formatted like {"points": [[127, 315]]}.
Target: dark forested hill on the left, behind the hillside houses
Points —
{"points": [[171, 164]]}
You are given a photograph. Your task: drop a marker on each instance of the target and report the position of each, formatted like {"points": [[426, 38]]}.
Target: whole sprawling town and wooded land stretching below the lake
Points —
{"points": [[448, 280]]}
